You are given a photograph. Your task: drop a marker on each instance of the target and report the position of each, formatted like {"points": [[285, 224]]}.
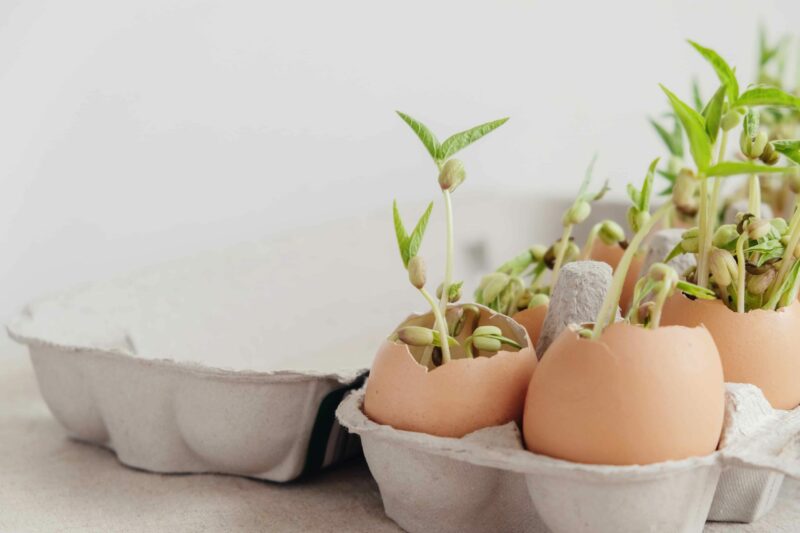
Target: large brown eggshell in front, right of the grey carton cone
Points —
{"points": [[634, 396]]}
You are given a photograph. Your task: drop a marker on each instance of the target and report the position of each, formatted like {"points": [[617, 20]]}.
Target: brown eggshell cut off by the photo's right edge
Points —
{"points": [[759, 347]]}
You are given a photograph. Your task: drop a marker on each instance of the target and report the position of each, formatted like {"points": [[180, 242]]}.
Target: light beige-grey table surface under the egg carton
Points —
{"points": [[50, 483]]}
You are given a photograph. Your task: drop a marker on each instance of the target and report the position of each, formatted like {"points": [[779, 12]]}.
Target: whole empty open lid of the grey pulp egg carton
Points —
{"points": [[233, 361]]}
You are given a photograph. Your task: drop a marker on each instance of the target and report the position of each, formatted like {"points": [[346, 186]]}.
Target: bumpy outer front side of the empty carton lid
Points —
{"points": [[167, 416]]}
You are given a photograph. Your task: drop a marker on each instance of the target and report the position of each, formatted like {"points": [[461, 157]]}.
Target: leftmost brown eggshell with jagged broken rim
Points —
{"points": [[456, 398]]}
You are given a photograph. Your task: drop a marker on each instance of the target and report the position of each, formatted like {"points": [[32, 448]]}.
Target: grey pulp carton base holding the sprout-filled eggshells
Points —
{"points": [[487, 481]]}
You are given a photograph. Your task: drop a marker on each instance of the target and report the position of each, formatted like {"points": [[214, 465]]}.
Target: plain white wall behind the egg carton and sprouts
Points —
{"points": [[136, 131]]}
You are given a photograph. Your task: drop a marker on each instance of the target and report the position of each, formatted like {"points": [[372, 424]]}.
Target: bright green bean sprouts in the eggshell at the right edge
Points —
{"points": [[765, 273]]}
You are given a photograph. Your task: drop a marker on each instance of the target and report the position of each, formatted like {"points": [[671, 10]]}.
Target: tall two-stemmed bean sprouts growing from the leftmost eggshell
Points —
{"points": [[449, 323]]}
